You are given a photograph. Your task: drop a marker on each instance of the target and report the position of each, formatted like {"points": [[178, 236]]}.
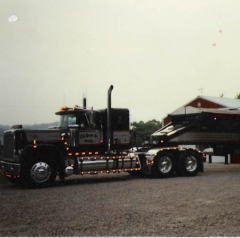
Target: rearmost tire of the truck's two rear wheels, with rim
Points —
{"points": [[188, 163]]}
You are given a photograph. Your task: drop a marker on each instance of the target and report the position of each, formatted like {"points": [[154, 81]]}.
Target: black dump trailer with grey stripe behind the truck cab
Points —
{"points": [[216, 128]]}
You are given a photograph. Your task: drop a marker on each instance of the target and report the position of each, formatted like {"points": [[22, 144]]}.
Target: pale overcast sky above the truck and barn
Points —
{"points": [[157, 54]]}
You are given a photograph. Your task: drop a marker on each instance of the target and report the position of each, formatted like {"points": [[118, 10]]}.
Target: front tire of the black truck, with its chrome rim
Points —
{"points": [[39, 172]]}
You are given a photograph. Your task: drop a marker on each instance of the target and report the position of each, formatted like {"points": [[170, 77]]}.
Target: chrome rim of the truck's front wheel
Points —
{"points": [[40, 172]]}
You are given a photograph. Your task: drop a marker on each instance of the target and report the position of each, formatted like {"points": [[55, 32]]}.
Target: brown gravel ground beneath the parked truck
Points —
{"points": [[121, 205]]}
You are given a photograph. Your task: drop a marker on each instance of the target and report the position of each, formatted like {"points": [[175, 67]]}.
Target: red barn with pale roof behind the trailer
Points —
{"points": [[207, 102]]}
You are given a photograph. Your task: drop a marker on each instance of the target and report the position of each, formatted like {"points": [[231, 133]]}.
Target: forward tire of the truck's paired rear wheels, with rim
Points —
{"points": [[164, 165]]}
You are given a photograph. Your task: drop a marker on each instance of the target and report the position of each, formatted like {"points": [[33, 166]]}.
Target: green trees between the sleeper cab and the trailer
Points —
{"points": [[142, 130]]}
